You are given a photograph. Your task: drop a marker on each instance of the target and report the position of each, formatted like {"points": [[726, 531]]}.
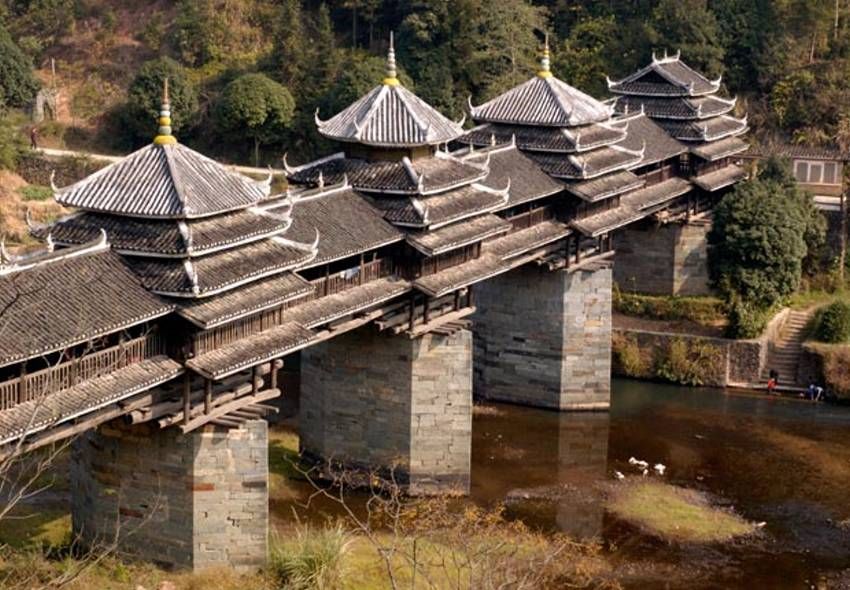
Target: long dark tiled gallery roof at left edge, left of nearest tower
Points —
{"points": [[70, 296]]}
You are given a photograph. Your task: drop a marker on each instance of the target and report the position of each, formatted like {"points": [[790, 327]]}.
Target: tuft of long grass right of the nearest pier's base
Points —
{"points": [[314, 559]]}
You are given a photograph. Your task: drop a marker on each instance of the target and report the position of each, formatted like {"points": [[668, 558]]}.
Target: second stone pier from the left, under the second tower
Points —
{"points": [[374, 401]]}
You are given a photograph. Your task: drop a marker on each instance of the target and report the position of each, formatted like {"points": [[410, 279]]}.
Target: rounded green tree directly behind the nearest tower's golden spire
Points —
{"points": [[144, 99]]}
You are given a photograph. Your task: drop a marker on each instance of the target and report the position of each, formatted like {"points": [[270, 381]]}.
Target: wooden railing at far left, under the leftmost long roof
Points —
{"points": [[64, 375]]}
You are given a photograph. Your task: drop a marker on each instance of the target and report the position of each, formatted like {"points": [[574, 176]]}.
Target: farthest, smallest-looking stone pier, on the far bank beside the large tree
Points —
{"points": [[667, 259]]}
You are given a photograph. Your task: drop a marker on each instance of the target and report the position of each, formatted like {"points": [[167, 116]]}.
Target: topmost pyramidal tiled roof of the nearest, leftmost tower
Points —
{"points": [[163, 181]]}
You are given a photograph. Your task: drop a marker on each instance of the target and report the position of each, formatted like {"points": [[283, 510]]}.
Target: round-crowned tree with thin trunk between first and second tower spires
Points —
{"points": [[257, 107]]}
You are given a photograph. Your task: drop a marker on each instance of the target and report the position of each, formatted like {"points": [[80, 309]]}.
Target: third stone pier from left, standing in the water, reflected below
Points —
{"points": [[543, 338]]}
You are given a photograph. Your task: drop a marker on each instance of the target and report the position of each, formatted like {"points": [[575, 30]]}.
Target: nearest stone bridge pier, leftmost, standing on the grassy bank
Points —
{"points": [[189, 501]]}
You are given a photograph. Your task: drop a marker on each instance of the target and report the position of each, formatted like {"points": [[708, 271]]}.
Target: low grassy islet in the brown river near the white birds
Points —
{"points": [[675, 514]]}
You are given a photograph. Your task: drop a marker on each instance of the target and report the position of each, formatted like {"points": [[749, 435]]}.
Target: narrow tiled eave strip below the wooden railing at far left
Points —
{"points": [[55, 408]]}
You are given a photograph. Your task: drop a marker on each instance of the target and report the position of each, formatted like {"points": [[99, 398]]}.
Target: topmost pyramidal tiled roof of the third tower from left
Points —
{"points": [[543, 101]]}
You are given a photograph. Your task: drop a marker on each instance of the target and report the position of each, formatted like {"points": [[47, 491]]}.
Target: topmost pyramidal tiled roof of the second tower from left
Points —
{"points": [[390, 116]]}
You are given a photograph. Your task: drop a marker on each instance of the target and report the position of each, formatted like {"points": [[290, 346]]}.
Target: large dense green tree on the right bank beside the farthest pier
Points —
{"points": [[762, 233]]}
